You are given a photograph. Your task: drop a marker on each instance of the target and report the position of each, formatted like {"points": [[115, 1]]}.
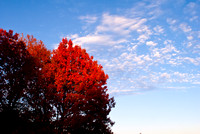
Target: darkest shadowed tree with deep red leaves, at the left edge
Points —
{"points": [[16, 74]]}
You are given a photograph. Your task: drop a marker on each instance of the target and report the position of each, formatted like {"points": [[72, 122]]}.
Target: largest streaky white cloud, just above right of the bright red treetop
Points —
{"points": [[113, 30]]}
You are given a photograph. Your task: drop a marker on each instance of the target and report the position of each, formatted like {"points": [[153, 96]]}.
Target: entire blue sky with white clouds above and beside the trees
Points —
{"points": [[149, 49]]}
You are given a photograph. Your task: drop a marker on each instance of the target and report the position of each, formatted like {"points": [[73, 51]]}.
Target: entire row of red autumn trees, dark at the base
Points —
{"points": [[43, 91]]}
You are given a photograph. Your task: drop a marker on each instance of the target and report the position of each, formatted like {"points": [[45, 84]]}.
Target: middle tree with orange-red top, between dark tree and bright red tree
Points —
{"points": [[41, 97]]}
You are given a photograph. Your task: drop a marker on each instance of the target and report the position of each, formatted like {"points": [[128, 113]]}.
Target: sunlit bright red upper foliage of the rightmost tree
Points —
{"points": [[74, 66]]}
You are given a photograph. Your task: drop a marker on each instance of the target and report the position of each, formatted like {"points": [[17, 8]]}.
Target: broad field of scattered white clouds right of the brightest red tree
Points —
{"points": [[143, 48]]}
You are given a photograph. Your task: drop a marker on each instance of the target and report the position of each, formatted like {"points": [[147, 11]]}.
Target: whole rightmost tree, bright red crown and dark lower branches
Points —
{"points": [[81, 85]]}
